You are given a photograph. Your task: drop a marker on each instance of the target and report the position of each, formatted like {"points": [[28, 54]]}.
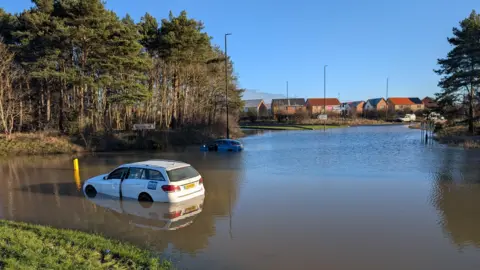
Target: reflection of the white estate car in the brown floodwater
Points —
{"points": [[155, 216]]}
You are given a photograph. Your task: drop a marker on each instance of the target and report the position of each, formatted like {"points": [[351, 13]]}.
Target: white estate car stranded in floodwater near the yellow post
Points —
{"points": [[153, 180]]}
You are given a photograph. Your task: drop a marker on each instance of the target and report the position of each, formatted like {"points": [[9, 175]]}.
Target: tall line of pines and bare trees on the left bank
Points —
{"points": [[73, 66]]}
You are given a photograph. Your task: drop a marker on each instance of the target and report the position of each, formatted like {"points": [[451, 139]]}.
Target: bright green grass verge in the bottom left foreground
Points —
{"points": [[24, 246]]}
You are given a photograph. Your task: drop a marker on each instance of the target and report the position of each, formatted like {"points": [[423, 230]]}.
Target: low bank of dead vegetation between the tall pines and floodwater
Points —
{"points": [[49, 143]]}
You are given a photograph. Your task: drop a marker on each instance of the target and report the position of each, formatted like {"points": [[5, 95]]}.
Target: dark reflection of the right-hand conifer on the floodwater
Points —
{"points": [[456, 195]]}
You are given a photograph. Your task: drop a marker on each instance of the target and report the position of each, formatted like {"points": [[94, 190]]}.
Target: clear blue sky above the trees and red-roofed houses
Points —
{"points": [[362, 41]]}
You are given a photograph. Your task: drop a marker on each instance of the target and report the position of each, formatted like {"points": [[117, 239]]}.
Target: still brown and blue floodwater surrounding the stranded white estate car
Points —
{"points": [[353, 198]]}
